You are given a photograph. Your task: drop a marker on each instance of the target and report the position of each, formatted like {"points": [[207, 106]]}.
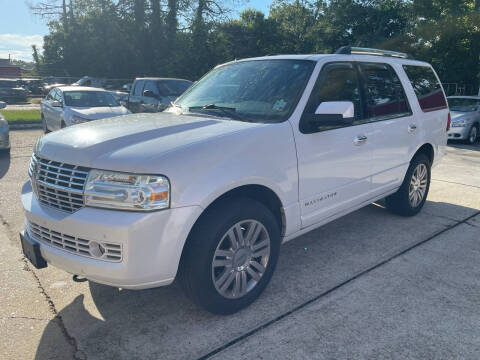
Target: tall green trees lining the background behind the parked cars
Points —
{"points": [[185, 38]]}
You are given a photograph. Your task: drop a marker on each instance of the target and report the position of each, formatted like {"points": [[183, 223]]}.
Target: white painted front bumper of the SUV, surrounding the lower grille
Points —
{"points": [[151, 243]]}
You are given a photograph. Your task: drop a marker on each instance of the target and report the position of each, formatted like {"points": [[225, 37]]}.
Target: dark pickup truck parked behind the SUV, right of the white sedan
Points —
{"points": [[155, 94]]}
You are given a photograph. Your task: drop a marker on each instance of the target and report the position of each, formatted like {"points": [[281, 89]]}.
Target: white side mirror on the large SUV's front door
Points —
{"points": [[334, 113]]}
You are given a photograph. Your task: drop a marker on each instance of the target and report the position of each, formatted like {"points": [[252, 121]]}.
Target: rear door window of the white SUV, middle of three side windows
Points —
{"points": [[384, 94]]}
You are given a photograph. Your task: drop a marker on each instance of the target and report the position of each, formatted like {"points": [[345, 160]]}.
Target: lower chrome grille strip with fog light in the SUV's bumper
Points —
{"points": [[75, 245]]}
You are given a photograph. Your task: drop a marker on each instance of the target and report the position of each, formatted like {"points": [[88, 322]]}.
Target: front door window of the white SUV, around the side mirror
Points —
{"points": [[336, 82]]}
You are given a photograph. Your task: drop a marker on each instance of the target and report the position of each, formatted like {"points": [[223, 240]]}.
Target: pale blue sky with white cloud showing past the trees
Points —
{"points": [[19, 29]]}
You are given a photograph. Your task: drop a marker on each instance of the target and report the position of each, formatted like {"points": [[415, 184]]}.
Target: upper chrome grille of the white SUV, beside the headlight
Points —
{"points": [[57, 184]]}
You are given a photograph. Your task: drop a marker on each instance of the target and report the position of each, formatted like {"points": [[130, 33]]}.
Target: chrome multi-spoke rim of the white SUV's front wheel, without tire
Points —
{"points": [[241, 259]]}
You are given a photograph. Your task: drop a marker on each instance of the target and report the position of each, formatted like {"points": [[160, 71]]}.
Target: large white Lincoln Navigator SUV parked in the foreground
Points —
{"points": [[258, 152]]}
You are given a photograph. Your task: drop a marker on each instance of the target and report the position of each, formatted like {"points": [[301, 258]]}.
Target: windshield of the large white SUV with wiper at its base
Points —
{"points": [[256, 90]]}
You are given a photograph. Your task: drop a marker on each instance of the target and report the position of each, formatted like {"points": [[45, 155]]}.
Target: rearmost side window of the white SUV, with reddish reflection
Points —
{"points": [[426, 86]]}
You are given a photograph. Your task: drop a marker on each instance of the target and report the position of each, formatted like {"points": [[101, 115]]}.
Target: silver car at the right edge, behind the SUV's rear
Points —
{"points": [[465, 111]]}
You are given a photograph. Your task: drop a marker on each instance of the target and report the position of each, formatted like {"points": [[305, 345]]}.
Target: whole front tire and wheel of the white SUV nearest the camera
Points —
{"points": [[230, 255]]}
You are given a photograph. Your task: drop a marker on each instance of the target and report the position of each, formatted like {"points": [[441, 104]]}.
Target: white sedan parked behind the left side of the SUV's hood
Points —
{"points": [[70, 105]]}
